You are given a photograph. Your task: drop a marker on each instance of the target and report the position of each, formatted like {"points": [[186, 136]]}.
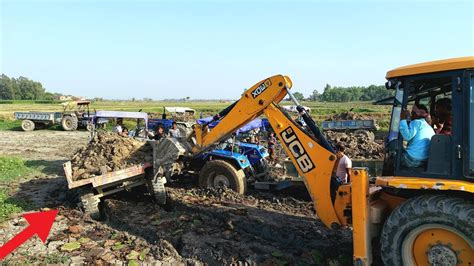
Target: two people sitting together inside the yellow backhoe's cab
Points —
{"points": [[418, 127]]}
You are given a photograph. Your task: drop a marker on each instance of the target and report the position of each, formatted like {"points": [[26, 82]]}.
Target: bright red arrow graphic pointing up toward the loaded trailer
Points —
{"points": [[40, 224]]}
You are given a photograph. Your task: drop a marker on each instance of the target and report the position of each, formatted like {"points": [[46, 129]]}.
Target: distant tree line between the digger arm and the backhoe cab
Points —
{"points": [[347, 94]]}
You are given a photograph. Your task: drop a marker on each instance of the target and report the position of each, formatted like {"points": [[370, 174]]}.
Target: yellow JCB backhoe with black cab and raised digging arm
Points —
{"points": [[417, 216]]}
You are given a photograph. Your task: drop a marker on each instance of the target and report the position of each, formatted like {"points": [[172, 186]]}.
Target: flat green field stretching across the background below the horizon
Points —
{"points": [[319, 110]]}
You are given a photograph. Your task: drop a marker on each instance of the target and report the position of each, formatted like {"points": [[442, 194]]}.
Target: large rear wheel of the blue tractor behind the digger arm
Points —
{"points": [[218, 173]]}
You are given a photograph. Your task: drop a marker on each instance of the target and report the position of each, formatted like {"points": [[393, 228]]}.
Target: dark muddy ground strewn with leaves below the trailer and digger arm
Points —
{"points": [[197, 226]]}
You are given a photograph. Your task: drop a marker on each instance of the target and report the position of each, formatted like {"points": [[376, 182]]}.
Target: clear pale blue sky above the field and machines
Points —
{"points": [[216, 49]]}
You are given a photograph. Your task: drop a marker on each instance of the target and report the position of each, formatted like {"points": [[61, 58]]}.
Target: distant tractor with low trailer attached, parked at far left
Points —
{"points": [[74, 115]]}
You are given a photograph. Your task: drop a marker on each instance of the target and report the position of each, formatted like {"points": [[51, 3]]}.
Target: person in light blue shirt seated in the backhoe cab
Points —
{"points": [[417, 133]]}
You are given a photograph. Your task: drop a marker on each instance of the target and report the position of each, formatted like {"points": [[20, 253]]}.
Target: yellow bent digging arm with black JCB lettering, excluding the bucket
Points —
{"points": [[312, 156]]}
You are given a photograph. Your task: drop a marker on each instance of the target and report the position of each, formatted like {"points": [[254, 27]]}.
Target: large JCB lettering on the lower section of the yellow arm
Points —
{"points": [[296, 148]]}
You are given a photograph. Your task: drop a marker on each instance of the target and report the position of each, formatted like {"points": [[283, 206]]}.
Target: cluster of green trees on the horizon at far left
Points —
{"points": [[22, 88]]}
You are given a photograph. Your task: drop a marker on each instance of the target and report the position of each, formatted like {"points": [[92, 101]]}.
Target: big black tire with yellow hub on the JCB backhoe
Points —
{"points": [[429, 230]]}
